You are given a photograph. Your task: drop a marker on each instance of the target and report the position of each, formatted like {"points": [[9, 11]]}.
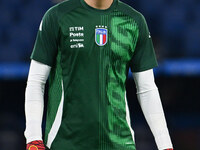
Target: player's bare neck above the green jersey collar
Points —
{"points": [[99, 4]]}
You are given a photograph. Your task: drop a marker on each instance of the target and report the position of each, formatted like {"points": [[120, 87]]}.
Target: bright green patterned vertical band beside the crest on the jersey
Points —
{"points": [[116, 67]]}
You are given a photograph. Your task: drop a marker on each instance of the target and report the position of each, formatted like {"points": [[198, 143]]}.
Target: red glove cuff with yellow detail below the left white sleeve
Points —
{"points": [[35, 145]]}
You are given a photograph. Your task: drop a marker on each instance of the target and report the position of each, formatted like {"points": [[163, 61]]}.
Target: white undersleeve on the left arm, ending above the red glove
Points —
{"points": [[34, 101]]}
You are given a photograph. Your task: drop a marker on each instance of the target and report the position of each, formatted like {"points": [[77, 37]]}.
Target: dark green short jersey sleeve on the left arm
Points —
{"points": [[45, 49]]}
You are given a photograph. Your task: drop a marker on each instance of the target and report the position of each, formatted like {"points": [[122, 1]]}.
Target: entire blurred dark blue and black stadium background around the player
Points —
{"points": [[175, 28]]}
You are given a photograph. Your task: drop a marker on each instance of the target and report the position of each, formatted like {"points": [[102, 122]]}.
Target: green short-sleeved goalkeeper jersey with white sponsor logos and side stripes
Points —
{"points": [[90, 52]]}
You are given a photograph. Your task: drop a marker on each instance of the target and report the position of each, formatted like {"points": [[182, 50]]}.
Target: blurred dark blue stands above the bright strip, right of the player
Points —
{"points": [[175, 26]]}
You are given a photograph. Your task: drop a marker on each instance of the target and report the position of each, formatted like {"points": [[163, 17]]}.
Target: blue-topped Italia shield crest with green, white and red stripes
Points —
{"points": [[101, 35]]}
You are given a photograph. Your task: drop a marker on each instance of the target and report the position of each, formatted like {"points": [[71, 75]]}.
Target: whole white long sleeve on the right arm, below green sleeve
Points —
{"points": [[149, 100]]}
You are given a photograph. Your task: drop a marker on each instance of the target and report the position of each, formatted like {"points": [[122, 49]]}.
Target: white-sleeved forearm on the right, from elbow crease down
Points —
{"points": [[153, 112]]}
